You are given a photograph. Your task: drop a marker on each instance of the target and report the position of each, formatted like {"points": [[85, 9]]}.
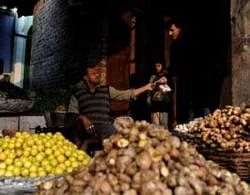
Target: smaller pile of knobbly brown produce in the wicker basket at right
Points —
{"points": [[227, 129]]}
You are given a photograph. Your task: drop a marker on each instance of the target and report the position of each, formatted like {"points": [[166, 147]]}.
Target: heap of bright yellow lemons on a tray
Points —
{"points": [[38, 155]]}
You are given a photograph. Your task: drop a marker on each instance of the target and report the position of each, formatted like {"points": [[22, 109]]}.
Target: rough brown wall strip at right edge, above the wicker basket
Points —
{"points": [[240, 28]]}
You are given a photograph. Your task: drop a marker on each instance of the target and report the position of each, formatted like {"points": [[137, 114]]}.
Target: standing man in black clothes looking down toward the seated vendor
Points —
{"points": [[184, 62]]}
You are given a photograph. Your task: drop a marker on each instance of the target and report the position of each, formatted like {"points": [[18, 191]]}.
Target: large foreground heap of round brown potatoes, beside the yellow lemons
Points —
{"points": [[146, 159]]}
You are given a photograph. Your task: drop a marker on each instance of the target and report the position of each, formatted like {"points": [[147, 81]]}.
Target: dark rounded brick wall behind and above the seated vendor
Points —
{"points": [[63, 40]]}
